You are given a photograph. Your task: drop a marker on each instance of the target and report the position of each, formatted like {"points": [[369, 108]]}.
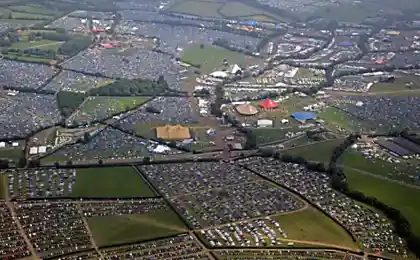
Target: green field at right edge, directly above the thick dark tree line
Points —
{"points": [[395, 195]]}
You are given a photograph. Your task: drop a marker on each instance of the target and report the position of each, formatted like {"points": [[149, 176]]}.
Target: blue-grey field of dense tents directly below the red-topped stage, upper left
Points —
{"points": [[144, 64]]}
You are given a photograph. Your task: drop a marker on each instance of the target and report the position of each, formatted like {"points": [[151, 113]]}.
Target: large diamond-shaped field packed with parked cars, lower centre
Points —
{"points": [[210, 194]]}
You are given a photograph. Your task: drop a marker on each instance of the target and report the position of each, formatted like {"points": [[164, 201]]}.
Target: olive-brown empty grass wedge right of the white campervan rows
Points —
{"points": [[311, 225]]}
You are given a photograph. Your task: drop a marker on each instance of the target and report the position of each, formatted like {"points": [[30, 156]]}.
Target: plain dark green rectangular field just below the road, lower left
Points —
{"points": [[110, 182]]}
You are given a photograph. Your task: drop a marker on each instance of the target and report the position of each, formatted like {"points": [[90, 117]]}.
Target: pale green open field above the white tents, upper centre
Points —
{"points": [[210, 58]]}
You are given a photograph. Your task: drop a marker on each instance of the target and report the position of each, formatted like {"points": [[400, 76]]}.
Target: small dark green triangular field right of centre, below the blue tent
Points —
{"points": [[320, 151]]}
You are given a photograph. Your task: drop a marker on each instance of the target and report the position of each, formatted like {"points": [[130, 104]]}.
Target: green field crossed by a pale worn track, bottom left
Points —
{"points": [[112, 230]]}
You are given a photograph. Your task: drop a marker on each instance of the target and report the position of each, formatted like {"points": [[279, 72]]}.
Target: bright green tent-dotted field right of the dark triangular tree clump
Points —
{"points": [[111, 104]]}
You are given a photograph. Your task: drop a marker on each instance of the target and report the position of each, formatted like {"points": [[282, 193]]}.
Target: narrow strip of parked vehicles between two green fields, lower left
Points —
{"points": [[95, 208]]}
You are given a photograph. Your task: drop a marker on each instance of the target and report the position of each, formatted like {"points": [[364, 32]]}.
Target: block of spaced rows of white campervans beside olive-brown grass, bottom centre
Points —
{"points": [[246, 233]]}
